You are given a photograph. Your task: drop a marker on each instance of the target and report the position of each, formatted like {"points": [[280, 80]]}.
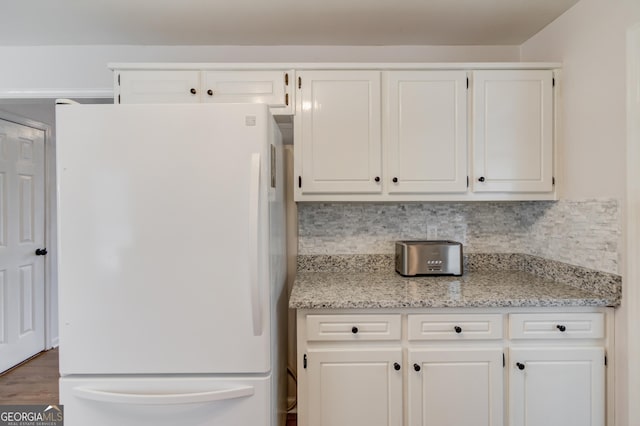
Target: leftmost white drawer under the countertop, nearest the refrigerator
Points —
{"points": [[353, 327]]}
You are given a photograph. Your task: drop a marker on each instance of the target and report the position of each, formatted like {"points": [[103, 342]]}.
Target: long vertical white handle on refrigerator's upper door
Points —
{"points": [[254, 246]]}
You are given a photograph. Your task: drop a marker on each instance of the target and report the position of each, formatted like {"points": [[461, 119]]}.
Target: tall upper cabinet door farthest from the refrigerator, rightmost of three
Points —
{"points": [[513, 131]]}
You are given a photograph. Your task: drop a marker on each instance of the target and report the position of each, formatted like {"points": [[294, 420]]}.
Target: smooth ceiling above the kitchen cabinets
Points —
{"points": [[275, 22]]}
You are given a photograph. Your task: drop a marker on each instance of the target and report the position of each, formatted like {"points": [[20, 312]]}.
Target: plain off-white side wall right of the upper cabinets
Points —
{"points": [[589, 40]]}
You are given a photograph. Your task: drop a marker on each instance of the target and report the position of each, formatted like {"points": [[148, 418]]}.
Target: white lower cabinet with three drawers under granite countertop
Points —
{"points": [[454, 367]]}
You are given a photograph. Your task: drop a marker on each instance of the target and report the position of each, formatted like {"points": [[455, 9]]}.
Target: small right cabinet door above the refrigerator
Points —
{"points": [[268, 87]]}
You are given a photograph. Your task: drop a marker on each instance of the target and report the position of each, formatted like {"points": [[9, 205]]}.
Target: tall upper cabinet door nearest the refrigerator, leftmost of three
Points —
{"points": [[337, 127]]}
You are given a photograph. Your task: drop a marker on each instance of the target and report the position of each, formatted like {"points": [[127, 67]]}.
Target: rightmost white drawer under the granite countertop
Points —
{"points": [[557, 326]]}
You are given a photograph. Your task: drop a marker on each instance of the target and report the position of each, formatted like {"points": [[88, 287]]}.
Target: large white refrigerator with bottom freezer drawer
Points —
{"points": [[171, 265]]}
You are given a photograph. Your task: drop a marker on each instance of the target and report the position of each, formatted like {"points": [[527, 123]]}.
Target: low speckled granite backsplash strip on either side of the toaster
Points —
{"points": [[601, 283]]}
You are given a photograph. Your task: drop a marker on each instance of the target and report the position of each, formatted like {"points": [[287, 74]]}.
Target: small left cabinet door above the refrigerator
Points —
{"points": [[142, 87]]}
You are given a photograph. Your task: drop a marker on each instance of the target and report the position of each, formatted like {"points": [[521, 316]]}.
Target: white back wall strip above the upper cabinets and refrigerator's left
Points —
{"points": [[56, 71]]}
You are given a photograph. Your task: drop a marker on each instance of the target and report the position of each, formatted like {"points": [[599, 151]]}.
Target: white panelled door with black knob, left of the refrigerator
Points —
{"points": [[21, 234]]}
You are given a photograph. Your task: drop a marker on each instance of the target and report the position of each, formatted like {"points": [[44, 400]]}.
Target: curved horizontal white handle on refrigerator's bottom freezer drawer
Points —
{"points": [[157, 399]]}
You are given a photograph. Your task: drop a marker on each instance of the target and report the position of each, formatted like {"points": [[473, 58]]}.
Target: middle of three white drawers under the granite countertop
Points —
{"points": [[455, 327]]}
